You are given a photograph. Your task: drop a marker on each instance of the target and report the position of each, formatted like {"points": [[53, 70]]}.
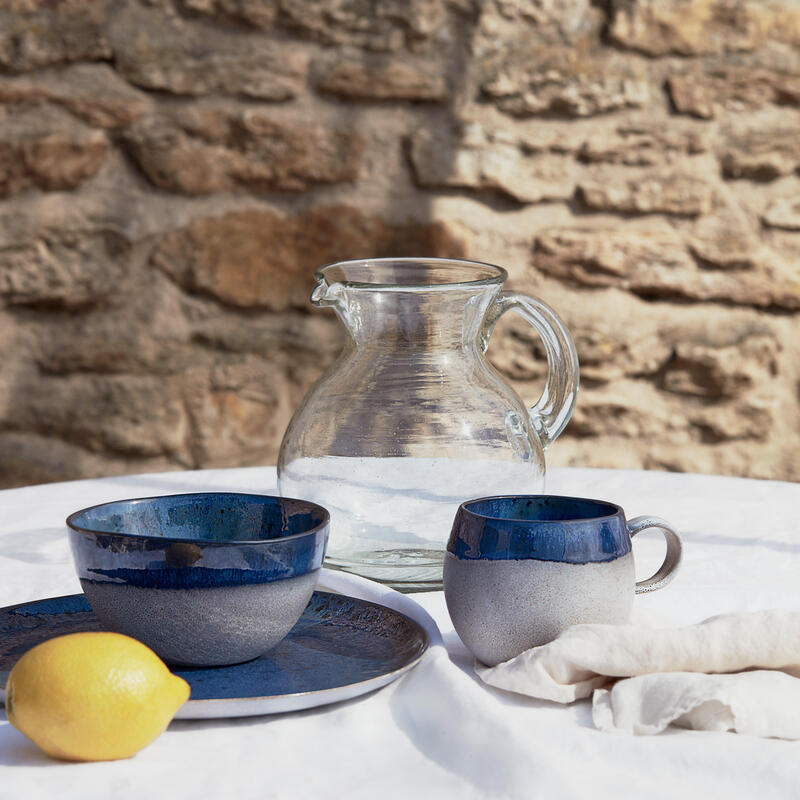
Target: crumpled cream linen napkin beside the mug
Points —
{"points": [[736, 672]]}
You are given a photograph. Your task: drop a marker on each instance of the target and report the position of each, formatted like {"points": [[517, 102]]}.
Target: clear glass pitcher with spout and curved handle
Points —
{"points": [[412, 420]]}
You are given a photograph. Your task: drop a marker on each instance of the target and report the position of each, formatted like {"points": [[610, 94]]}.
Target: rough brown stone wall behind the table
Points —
{"points": [[172, 171]]}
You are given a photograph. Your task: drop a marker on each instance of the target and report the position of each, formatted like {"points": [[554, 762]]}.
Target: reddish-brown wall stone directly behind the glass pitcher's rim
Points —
{"points": [[261, 259]]}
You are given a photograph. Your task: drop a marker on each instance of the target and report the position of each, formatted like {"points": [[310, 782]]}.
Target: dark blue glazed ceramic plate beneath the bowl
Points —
{"points": [[340, 648]]}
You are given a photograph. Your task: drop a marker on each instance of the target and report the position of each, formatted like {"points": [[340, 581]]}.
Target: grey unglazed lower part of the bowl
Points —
{"points": [[203, 627]]}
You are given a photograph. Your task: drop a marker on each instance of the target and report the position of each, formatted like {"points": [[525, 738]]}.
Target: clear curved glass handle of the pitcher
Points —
{"points": [[553, 409]]}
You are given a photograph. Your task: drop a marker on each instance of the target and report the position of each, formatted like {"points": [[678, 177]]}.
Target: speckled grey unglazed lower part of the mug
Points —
{"points": [[502, 608]]}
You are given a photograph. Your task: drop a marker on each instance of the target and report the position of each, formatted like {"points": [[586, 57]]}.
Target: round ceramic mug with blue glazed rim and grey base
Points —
{"points": [[520, 569]]}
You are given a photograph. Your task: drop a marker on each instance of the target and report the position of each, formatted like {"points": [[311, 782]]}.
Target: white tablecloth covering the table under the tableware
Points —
{"points": [[438, 732]]}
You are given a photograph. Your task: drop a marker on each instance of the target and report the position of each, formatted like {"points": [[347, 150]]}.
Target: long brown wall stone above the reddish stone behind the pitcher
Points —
{"points": [[248, 149]]}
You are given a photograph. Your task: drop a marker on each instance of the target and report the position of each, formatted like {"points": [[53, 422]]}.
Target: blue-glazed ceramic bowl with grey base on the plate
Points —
{"points": [[203, 579]]}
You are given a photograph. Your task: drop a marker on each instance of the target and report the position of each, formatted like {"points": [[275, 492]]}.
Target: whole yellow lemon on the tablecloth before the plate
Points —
{"points": [[92, 696]]}
